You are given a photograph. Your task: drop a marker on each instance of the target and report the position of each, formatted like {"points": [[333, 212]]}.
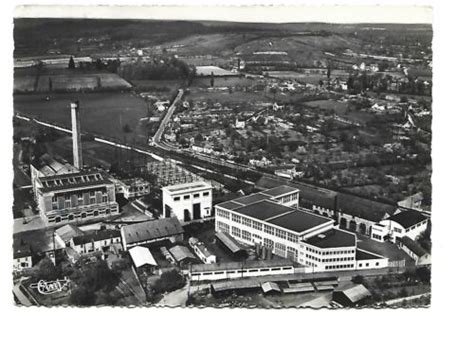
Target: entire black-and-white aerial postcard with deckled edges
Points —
{"points": [[222, 163]]}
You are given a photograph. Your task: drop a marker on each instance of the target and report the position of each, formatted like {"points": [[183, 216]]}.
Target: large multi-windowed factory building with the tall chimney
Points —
{"points": [[66, 193]]}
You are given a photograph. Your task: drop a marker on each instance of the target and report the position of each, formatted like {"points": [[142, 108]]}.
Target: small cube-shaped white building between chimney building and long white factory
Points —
{"points": [[188, 201]]}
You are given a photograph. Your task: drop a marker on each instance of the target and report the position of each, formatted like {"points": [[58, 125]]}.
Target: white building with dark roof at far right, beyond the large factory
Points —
{"points": [[407, 223]]}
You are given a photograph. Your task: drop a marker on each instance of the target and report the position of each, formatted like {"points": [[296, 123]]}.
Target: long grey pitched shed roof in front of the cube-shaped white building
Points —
{"points": [[150, 230]]}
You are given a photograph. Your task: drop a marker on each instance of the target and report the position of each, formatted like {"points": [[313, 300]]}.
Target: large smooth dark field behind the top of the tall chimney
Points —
{"points": [[104, 113]]}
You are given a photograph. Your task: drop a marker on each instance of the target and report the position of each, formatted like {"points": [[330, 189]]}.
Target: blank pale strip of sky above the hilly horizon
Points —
{"points": [[275, 14]]}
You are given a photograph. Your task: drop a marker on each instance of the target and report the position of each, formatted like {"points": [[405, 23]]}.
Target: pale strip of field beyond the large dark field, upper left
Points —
{"points": [[68, 82]]}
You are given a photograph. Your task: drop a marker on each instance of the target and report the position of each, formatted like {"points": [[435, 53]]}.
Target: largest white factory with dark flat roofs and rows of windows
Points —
{"points": [[271, 218]]}
